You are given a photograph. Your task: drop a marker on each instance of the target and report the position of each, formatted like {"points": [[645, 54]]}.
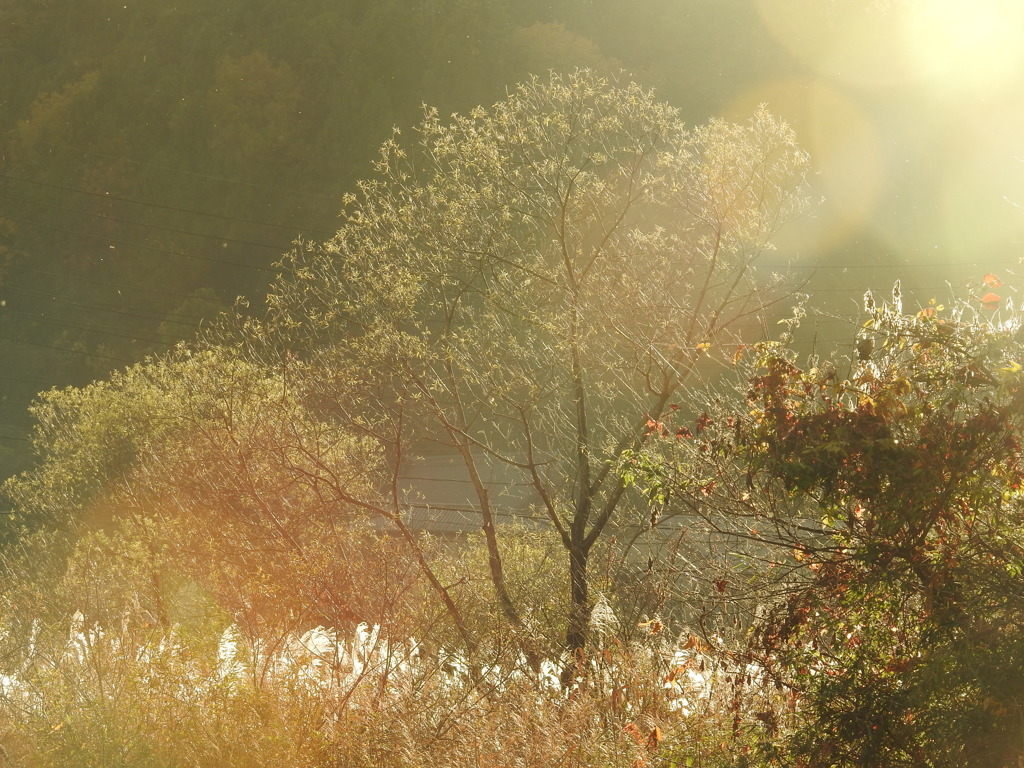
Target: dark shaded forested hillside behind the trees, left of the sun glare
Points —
{"points": [[150, 153]]}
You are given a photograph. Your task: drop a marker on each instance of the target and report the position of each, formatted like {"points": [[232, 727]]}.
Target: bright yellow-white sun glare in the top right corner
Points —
{"points": [[912, 112]]}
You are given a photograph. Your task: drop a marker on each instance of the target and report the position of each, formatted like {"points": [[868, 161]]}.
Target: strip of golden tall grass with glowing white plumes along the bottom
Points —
{"points": [[107, 698]]}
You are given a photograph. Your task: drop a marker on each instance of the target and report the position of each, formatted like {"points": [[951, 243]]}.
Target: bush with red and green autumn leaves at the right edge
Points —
{"points": [[884, 508]]}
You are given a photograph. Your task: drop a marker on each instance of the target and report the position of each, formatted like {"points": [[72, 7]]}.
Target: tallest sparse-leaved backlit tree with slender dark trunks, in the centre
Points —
{"points": [[525, 284]]}
